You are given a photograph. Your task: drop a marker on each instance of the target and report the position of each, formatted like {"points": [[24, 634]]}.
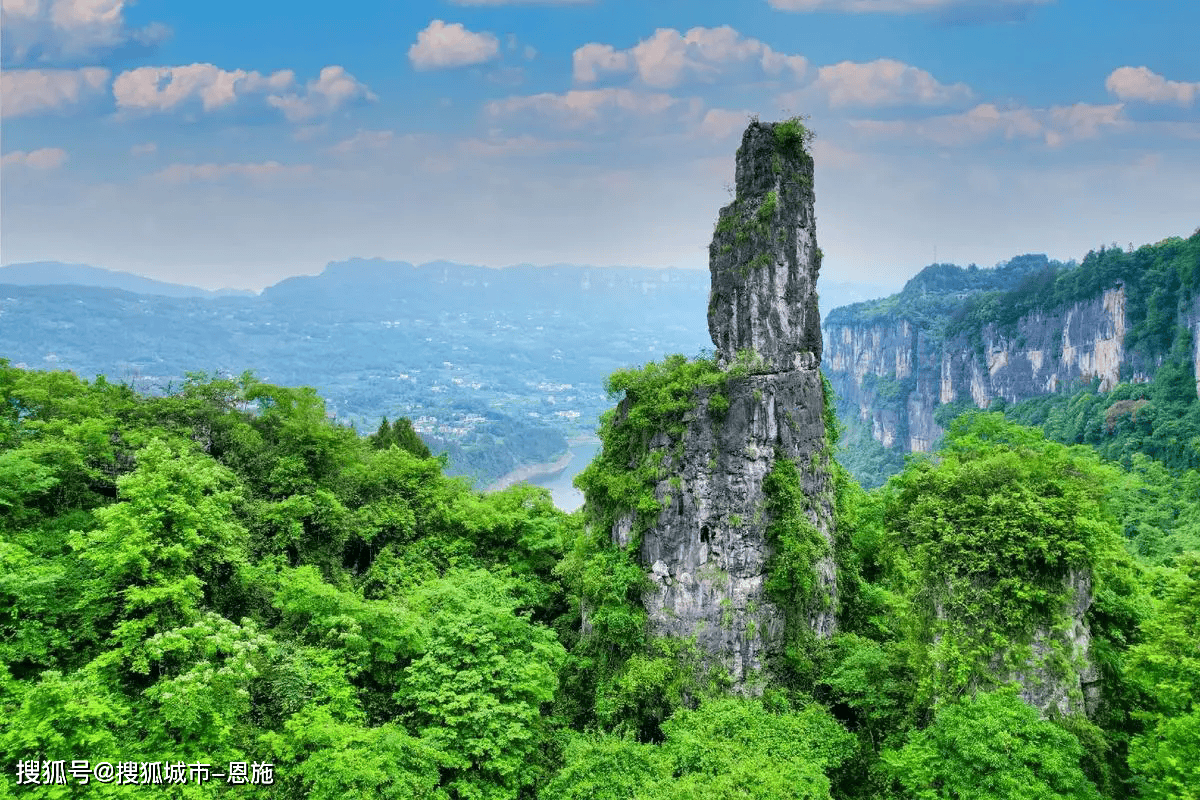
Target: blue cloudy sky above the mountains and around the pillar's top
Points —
{"points": [[233, 145]]}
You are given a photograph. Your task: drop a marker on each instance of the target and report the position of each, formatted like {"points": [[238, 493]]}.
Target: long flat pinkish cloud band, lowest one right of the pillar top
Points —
{"points": [[1054, 127]]}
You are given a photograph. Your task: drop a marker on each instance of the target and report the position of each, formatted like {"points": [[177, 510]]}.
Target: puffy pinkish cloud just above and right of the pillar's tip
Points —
{"points": [[885, 82]]}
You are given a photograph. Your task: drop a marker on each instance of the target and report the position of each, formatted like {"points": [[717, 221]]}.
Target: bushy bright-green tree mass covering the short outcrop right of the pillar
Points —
{"points": [[986, 545]]}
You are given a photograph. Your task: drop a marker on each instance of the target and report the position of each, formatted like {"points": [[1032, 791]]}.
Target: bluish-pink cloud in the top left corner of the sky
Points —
{"points": [[53, 31]]}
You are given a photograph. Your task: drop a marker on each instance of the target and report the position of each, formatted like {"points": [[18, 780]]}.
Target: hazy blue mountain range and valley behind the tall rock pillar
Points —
{"points": [[496, 366]]}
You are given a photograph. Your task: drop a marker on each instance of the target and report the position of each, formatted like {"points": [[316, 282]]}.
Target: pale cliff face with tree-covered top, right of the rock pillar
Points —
{"points": [[1033, 328]]}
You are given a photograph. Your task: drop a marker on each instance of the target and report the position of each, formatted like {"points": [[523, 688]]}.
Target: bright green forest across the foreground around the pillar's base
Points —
{"points": [[223, 576]]}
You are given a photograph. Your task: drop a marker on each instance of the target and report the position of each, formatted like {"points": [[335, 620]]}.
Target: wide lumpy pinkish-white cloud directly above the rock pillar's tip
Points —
{"points": [[668, 58]]}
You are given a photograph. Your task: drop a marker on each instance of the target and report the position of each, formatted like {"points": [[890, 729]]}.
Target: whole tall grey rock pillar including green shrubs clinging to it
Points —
{"points": [[740, 470]]}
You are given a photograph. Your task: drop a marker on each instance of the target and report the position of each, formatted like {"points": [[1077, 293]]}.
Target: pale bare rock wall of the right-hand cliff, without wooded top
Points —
{"points": [[892, 371]]}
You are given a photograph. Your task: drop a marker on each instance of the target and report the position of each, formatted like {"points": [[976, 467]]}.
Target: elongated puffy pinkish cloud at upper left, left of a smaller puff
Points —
{"points": [[163, 89]]}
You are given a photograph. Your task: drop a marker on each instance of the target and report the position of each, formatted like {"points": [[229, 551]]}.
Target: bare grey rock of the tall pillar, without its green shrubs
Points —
{"points": [[709, 551]]}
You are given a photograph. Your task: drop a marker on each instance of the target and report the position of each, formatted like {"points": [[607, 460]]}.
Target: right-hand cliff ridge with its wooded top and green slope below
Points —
{"points": [[1106, 352]]}
